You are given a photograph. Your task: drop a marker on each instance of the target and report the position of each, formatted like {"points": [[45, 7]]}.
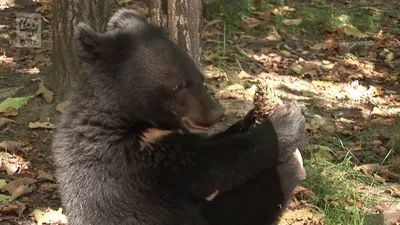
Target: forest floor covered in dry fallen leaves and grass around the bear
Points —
{"points": [[339, 59]]}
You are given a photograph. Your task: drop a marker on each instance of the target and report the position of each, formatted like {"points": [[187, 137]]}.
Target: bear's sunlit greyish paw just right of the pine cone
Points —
{"points": [[290, 127]]}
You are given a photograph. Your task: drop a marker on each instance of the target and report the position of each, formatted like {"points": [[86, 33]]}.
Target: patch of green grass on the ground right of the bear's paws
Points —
{"points": [[336, 185]]}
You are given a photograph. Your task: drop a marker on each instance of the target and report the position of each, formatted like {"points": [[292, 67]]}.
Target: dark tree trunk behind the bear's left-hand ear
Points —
{"points": [[67, 13]]}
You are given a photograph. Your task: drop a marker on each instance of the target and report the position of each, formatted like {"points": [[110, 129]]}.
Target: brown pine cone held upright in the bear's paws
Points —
{"points": [[265, 101]]}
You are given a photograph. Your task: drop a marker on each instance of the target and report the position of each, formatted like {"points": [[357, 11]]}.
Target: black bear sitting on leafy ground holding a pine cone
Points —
{"points": [[130, 150]]}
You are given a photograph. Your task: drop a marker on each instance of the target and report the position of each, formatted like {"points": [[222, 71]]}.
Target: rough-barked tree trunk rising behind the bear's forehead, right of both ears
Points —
{"points": [[183, 19]]}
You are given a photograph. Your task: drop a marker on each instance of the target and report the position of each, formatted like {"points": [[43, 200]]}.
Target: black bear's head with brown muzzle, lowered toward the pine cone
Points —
{"points": [[134, 68]]}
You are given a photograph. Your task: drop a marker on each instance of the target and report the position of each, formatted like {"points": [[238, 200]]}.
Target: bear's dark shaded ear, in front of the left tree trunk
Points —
{"points": [[89, 45]]}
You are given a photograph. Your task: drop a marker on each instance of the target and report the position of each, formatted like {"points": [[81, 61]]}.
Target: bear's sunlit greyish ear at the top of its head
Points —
{"points": [[126, 18]]}
